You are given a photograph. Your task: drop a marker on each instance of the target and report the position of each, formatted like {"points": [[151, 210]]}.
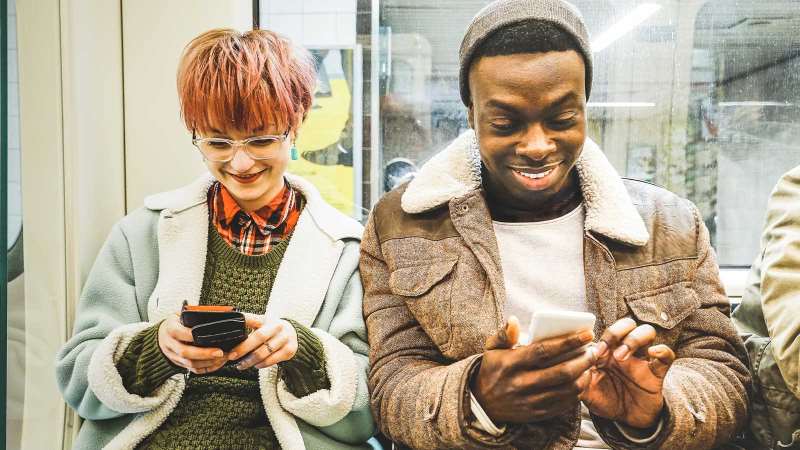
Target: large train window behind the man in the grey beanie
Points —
{"points": [[698, 97]]}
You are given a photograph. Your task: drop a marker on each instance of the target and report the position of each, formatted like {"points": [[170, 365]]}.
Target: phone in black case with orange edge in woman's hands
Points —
{"points": [[214, 326]]}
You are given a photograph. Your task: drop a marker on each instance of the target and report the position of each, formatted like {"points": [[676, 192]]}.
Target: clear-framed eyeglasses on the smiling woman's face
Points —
{"points": [[256, 147]]}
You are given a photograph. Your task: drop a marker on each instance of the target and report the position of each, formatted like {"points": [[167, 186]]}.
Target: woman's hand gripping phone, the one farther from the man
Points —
{"points": [[175, 341]]}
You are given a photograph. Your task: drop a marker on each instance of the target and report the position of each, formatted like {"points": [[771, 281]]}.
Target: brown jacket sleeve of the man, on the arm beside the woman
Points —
{"points": [[418, 397]]}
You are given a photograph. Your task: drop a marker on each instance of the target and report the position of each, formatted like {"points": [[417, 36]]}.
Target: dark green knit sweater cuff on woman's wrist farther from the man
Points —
{"points": [[143, 366]]}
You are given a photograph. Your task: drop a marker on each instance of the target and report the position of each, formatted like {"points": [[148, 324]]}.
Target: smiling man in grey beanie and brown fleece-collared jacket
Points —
{"points": [[525, 213]]}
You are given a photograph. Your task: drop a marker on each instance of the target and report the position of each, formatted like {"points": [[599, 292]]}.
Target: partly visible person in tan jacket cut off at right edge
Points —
{"points": [[768, 318]]}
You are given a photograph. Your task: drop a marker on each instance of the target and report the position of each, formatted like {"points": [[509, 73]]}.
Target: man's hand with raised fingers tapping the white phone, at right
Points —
{"points": [[625, 387]]}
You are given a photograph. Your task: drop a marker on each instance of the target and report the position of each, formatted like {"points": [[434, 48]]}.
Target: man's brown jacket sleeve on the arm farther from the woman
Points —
{"points": [[706, 388]]}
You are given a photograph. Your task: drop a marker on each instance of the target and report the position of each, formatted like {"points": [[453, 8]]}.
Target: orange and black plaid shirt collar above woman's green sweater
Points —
{"points": [[254, 233]]}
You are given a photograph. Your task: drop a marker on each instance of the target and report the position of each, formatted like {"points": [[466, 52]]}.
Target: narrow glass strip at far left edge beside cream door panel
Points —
{"points": [[15, 387]]}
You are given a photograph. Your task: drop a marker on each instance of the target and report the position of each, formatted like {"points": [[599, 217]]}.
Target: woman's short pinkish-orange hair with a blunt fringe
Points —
{"points": [[246, 81]]}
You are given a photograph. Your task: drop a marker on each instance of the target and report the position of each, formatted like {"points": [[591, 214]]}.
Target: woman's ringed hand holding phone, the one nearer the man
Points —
{"points": [[271, 342]]}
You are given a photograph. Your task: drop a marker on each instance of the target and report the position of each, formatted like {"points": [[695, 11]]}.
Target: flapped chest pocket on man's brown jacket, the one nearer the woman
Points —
{"points": [[426, 287]]}
